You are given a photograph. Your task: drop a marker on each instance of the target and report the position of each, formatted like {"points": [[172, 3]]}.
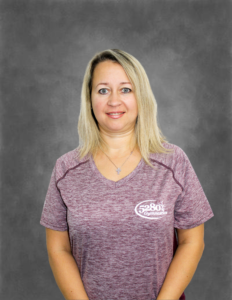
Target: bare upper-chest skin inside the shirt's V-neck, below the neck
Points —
{"points": [[108, 169]]}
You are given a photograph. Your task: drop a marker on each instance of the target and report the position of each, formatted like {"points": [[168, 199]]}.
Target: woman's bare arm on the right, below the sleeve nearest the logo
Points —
{"points": [[183, 266]]}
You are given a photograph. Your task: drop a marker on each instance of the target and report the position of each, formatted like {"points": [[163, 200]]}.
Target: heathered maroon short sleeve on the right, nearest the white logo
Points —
{"points": [[192, 208]]}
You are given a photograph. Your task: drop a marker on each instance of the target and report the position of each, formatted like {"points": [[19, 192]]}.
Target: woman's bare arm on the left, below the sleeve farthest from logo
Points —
{"points": [[64, 266]]}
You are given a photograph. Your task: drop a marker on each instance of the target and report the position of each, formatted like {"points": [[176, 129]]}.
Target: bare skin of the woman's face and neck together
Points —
{"points": [[109, 95]]}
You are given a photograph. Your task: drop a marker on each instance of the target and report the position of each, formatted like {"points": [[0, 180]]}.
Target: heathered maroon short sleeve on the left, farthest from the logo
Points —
{"points": [[54, 213]]}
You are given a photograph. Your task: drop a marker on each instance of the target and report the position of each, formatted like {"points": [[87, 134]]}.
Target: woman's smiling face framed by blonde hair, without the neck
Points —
{"points": [[113, 92]]}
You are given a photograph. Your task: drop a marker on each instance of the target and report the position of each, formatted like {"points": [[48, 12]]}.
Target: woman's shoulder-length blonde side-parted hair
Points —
{"points": [[149, 137]]}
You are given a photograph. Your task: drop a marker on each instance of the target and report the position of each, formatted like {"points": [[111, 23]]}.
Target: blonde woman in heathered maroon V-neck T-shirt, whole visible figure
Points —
{"points": [[113, 203]]}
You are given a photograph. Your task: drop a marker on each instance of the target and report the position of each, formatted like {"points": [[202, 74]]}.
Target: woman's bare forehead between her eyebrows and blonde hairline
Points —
{"points": [[109, 70]]}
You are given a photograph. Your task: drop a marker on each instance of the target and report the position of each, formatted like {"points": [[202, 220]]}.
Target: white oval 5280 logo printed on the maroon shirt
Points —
{"points": [[149, 210]]}
